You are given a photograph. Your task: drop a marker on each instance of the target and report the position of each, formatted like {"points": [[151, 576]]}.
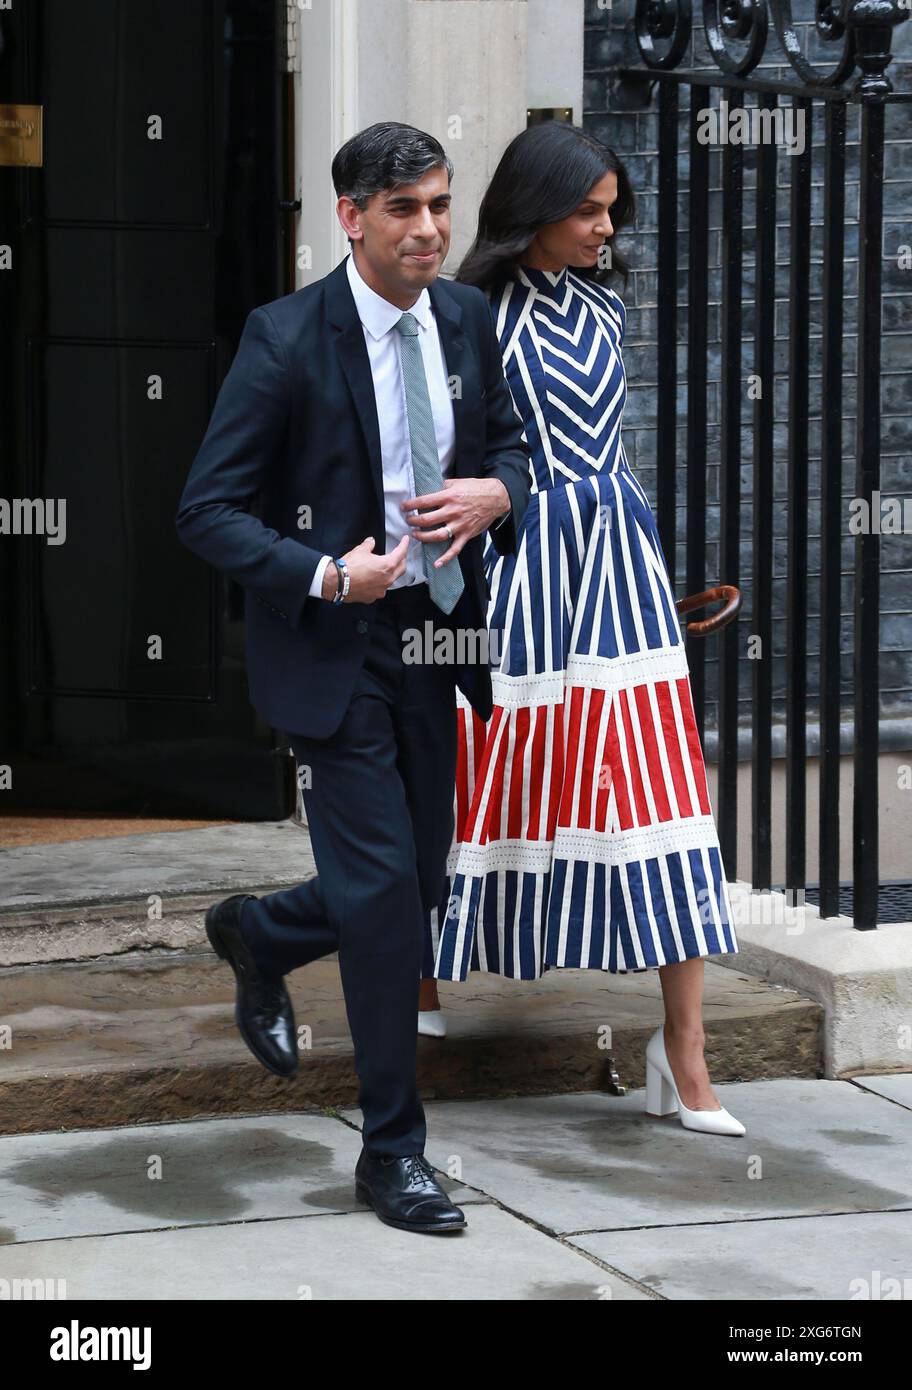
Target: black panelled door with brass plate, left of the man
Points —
{"points": [[136, 251]]}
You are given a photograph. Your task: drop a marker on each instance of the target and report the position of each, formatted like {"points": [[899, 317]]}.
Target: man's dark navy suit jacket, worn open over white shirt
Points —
{"points": [[295, 426]]}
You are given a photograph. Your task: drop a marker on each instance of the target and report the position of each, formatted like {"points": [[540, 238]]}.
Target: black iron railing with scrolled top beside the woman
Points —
{"points": [[858, 35]]}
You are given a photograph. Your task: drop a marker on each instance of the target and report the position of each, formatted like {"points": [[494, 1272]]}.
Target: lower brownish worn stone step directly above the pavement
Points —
{"points": [[149, 1036]]}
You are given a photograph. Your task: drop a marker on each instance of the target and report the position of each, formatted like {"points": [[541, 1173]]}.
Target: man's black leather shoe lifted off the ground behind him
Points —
{"points": [[263, 1010]]}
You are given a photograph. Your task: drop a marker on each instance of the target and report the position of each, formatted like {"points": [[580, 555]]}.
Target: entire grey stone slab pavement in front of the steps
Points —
{"points": [[568, 1197]]}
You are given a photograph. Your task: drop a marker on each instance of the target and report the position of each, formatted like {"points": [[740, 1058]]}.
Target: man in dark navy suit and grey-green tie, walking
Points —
{"points": [[370, 418]]}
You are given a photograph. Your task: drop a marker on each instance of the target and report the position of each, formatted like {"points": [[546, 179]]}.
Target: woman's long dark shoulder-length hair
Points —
{"points": [[543, 177]]}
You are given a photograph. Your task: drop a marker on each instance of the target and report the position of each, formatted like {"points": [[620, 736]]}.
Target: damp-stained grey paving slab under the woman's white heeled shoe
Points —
{"points": [[598, 1163]]}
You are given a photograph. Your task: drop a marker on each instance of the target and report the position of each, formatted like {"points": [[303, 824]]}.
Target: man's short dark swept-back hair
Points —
{"points": [[386, 156]]}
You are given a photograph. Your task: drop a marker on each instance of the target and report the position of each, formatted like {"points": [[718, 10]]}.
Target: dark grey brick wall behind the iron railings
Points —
{"points": [[611, 44]]}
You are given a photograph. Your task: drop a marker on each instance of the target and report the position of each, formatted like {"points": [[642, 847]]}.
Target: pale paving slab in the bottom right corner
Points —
{"points": [[865, 1256]]}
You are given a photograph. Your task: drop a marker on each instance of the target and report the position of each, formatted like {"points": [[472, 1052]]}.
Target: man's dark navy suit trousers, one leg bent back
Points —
{"points": [[379, 797]]}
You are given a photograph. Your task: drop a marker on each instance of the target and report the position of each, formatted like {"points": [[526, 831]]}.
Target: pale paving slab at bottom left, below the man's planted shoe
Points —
{"points": [[341, 1257]]}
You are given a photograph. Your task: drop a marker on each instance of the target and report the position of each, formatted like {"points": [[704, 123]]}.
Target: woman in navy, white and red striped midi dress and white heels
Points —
{"points": [[585, 833]]}
